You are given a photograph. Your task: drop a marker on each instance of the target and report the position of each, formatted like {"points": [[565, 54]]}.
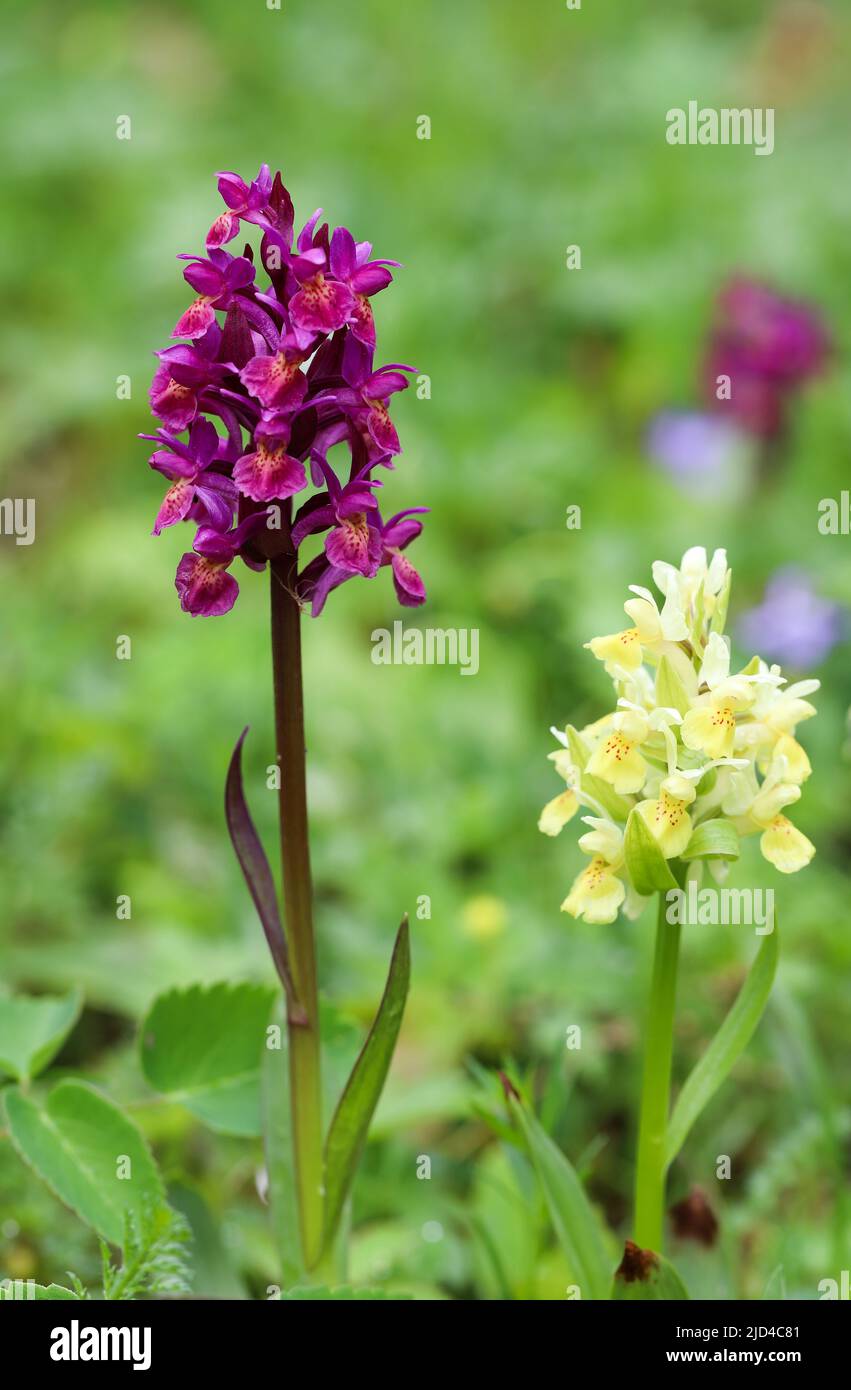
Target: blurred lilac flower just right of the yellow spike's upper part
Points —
{"points": [[793, 625]]}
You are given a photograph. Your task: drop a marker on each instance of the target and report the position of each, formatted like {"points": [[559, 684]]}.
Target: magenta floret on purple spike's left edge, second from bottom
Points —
{"points": [[193, 480]]}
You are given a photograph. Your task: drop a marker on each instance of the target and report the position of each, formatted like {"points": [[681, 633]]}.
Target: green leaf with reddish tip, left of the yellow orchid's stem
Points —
{"points": [[574, 1218]]}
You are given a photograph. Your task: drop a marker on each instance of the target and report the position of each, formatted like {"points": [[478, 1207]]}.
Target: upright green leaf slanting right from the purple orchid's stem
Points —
{"points": [[361, 1096]]}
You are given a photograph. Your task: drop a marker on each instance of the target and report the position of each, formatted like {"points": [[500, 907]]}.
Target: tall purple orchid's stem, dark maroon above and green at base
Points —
{"points": [[298, 904]]}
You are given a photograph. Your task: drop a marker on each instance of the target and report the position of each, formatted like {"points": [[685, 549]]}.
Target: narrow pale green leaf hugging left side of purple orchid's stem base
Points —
{"points": [[280, 1164]]}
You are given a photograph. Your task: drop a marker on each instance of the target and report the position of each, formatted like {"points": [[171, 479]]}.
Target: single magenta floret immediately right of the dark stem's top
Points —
{"points": [[354, 544]]}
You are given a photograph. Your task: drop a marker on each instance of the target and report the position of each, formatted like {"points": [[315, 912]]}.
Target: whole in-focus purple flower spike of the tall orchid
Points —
{"points": [[273, 390]]}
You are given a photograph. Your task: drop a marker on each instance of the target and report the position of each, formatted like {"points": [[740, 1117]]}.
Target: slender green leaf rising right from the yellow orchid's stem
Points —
{"points": [[727, 1047]]}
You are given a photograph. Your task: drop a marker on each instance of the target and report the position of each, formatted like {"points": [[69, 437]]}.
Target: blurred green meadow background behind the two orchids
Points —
{"points": [[547, 130]]}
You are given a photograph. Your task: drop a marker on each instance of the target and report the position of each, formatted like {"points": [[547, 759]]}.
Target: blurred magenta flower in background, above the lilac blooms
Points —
{"points": [[770, 348]]}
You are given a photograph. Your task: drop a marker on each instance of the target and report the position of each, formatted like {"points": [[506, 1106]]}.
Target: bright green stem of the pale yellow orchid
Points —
{"points": [[656, 1085]]}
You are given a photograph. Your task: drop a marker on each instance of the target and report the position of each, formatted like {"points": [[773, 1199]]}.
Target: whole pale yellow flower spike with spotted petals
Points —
{"points": [[695, 747]]}
